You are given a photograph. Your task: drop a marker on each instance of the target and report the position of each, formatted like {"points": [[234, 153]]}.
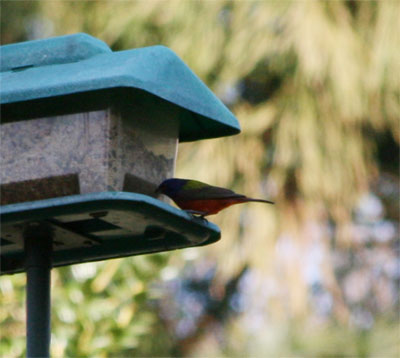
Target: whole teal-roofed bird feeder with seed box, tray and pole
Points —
{"points": [[87, 134]]}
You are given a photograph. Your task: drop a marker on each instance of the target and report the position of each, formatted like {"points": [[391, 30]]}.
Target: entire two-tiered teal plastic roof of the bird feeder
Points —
{"points": [[77, 64]]}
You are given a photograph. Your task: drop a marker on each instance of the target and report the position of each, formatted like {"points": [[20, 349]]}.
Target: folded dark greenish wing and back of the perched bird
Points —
{"points": [[201, 191]]}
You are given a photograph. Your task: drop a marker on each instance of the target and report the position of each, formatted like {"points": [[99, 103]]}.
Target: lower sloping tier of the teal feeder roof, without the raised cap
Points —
{"points": [[156, 70]]}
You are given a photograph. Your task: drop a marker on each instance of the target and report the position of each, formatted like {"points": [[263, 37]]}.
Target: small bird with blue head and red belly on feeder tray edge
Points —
{"points": [[201, 199]]}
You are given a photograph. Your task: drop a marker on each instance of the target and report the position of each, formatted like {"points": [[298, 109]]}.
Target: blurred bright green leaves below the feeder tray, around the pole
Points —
{"points": [[98, 309]]}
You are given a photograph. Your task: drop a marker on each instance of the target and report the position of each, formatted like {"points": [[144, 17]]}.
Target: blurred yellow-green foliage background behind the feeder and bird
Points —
{"points": [[316, 88]]}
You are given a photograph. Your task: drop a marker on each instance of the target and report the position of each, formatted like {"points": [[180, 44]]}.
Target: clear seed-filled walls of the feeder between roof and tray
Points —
{"points": [[120, 148]]}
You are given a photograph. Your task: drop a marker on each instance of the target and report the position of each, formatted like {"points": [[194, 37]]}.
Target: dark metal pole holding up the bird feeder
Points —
{"points": [[38, 256]]}
